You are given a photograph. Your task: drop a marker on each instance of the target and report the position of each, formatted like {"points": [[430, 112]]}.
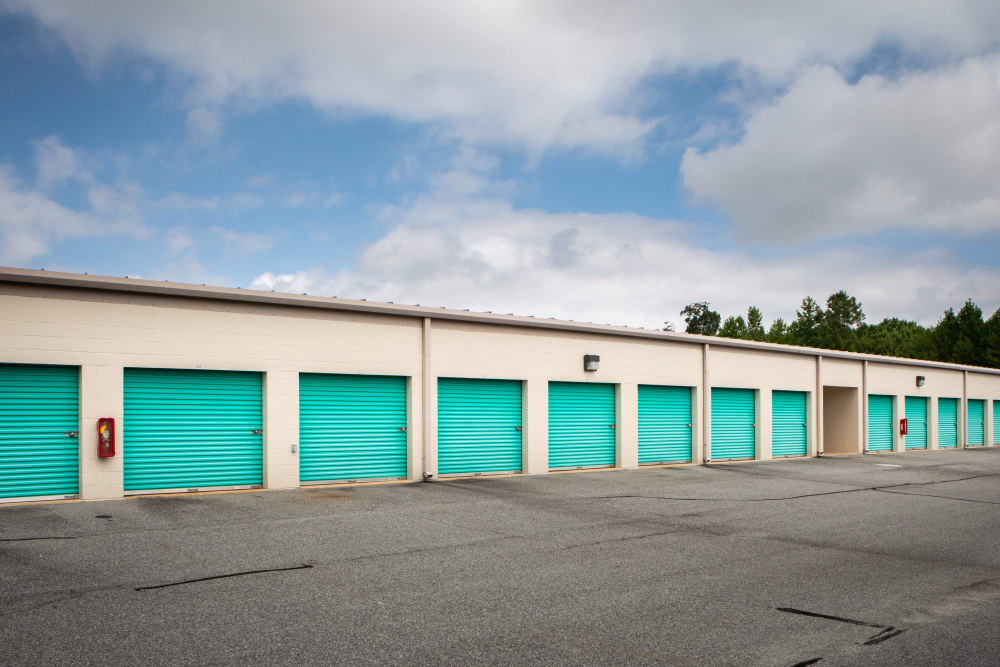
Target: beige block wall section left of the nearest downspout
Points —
{"points": [[103, 333]]}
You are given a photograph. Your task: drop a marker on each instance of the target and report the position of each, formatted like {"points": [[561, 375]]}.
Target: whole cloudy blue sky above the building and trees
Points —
{"points": [[587, 161]]}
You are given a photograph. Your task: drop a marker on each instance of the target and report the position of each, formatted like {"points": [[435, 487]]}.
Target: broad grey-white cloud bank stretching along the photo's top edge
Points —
{"points": [[528, 73]]}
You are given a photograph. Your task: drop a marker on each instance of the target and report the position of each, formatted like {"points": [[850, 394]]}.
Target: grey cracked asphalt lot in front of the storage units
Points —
{"points": [[888, 559]]}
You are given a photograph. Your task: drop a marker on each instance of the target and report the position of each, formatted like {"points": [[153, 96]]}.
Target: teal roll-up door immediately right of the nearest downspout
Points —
{"points": [[479, 426]]}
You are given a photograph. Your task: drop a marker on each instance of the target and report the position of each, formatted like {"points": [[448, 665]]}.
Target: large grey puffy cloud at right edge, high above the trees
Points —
{"points": [[831, 158]]}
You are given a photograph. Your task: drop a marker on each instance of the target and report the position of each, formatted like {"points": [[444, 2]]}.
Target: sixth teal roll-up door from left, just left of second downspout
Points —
{"points": [[664, 424]]}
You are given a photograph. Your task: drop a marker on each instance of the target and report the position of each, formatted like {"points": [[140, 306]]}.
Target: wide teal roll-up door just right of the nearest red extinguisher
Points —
{"points": [[192, 429]]}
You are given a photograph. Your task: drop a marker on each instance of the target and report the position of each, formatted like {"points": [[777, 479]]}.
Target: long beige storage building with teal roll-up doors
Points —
{"points": [[196, 388]]}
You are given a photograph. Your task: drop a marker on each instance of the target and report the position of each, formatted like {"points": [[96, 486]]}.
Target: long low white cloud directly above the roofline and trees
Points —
{"points": [[484, 254]]}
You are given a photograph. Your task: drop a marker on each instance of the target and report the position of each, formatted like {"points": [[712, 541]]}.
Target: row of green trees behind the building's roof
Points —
{"points": [[962, 338]]}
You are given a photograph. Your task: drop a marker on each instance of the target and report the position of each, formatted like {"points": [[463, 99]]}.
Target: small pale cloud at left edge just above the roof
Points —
{"points": [[30, 222]]}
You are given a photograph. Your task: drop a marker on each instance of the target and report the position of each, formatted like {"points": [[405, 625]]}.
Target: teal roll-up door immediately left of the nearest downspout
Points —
{"points": [[351, 427]]}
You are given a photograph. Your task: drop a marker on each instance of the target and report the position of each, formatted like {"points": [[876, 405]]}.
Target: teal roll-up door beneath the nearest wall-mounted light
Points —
{"points": [[581, 425]]}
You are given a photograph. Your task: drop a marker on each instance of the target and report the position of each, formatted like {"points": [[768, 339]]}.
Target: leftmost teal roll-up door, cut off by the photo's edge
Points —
{"points": [[39, 405]]}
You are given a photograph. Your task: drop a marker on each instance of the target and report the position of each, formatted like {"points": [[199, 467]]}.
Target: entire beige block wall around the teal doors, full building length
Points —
{"points": [[106, 332]]}
